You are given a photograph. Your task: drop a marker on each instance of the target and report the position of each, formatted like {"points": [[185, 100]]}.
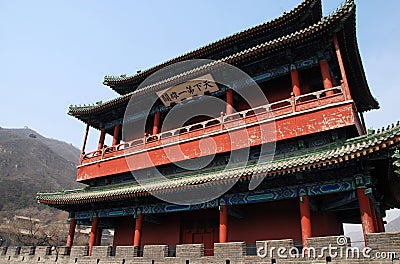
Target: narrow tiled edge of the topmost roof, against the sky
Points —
{"points": [[282, 21]]}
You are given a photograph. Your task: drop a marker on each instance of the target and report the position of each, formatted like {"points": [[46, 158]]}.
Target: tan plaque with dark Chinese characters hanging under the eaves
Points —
{"points": [[183, 91]]}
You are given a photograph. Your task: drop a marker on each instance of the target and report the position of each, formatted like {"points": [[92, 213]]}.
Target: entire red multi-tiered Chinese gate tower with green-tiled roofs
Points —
{"points": [[326, 168]]}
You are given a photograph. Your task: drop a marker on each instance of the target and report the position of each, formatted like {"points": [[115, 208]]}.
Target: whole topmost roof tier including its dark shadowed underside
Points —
{"points": [[304, 15]]}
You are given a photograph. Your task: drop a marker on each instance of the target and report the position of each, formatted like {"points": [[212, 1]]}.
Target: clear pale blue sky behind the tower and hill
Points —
{"points": [[56, 53]]}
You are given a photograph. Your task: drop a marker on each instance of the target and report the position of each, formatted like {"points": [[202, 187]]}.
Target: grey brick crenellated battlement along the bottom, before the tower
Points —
{"points": [[383, 248]]}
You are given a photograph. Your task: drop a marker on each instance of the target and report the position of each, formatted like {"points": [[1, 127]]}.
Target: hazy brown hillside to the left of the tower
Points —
{"points": [[31, 163]]}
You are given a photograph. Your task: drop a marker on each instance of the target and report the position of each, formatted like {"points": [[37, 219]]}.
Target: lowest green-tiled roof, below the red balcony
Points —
{"points": [[325, 156]]}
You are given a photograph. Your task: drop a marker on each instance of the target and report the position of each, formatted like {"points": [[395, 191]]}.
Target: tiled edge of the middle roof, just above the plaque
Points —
{"points": [[325, 24]]}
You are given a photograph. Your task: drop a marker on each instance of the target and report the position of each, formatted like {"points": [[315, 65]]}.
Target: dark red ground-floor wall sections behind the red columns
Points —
{"points": [[263, 221]]}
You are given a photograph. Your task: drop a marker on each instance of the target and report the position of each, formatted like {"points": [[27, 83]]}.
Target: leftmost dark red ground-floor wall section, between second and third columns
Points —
{"points": [[124, 231]]}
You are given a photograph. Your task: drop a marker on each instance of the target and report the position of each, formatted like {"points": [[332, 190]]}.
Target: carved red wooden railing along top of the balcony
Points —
{"points": [[222, 124]]}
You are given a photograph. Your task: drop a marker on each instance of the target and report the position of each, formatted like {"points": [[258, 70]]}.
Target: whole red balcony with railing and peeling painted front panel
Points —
{"points": [[296, 116]]}
